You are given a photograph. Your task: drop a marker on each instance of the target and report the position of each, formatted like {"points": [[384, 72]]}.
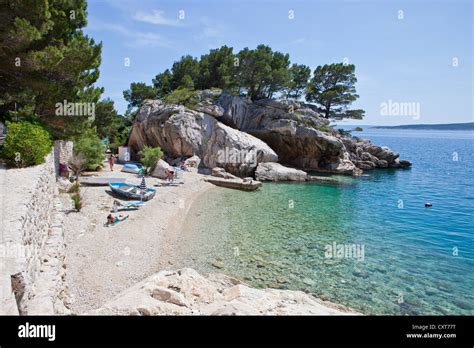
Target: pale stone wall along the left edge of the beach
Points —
{"points": [[32, 242]]}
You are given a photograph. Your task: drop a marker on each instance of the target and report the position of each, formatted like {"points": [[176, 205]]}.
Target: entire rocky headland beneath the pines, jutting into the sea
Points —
{"points": [[270, 130]]}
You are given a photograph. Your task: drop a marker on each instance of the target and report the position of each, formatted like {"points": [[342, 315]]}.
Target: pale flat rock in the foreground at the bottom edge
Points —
{"points": [[187, 292]]}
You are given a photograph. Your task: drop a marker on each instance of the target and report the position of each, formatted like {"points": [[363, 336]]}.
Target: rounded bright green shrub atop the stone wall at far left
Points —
{"points": [[26, 144]]}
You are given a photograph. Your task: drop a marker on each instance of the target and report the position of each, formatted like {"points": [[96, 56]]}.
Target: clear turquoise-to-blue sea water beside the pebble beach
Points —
{"points": [[276, 237]]}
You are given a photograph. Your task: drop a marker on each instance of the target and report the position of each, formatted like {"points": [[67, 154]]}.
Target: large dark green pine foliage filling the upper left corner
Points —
{"points": [[46, 59]]}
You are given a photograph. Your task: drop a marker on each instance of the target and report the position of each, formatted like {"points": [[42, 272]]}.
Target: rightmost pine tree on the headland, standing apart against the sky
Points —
{"points": [[332, 89]]}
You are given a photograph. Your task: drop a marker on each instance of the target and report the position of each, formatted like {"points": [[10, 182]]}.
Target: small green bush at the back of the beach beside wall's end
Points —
{"points": [[91, 148]]}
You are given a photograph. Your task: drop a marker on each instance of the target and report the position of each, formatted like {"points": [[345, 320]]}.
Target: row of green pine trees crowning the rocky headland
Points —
{"points": [[257, 73]]}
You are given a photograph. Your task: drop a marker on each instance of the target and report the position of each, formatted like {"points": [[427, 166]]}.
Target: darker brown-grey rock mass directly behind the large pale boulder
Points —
{"points": [[292, 129]]}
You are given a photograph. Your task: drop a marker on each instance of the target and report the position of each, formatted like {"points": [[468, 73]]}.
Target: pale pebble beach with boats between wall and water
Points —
{"points": [[103, 261]]}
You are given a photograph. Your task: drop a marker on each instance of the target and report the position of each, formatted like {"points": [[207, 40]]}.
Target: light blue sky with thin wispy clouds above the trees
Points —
{"points": [[414, 59]]}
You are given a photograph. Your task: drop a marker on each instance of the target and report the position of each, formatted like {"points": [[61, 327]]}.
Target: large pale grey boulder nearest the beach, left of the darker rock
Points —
{"points": [[180, 131]]}
